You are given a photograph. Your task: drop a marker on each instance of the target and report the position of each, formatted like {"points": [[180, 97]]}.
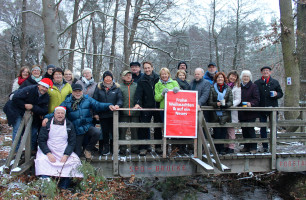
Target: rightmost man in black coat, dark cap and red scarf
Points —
{"points": [[270, 91]]}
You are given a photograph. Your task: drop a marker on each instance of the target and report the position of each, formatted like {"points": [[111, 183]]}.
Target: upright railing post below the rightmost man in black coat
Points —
{"points": [[273, 138]]}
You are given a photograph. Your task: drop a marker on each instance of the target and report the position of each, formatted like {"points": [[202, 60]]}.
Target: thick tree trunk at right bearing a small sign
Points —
{"points": [[290, 58]]}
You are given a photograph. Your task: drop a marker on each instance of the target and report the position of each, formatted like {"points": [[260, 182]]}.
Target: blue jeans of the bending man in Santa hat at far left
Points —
{"points": [[33, 133]]}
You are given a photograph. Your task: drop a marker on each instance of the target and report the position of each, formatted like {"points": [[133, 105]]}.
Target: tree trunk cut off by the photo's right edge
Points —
{"points": [[301, 48]]}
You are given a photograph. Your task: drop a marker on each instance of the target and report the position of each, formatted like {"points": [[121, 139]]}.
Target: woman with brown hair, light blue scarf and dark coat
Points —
{"points": [[220, 97]]}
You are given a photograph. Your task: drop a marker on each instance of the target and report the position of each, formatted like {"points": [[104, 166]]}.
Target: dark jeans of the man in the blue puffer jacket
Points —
{"points": [[93, 135]]}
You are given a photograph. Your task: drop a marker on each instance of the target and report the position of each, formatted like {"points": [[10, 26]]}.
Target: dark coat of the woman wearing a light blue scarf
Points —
{"points": [[212, 101]]}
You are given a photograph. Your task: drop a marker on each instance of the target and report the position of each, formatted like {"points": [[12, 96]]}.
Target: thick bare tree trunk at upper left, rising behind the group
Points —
{"points": [[51, 42]]}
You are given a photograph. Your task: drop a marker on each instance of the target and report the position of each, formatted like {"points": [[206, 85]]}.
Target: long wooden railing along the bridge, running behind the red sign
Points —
{"points": [[198, 143]]}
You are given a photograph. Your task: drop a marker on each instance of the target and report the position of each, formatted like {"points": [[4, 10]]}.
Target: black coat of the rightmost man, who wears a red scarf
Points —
{"points": [[264, 90]]}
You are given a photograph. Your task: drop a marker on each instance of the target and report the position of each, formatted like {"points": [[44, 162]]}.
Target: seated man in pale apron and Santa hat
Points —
{"points": [[55, 155]]}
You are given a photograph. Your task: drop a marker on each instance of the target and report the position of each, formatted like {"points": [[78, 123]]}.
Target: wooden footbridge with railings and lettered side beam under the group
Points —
{"points": [[287, 151]]}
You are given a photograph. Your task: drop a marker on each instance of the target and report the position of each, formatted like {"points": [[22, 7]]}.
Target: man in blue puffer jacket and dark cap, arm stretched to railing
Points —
{"points": [[79, 109]]}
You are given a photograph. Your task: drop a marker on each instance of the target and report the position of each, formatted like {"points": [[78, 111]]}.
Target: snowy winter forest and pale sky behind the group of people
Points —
{"points": [[109, 34]]}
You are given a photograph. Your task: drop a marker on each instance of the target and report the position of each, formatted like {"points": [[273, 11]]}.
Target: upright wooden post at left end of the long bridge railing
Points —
{"points": [[115, 142]]}
